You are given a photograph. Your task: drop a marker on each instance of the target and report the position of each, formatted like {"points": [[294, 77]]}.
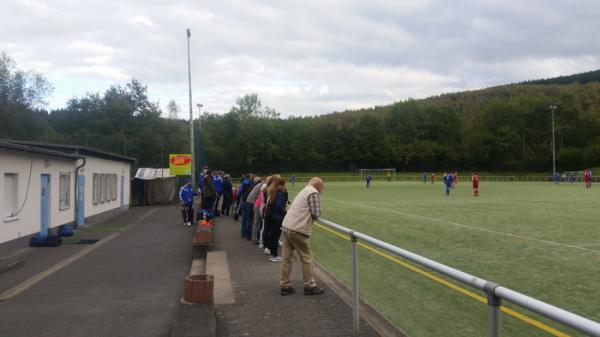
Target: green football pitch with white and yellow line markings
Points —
{"points": [[537, 238]]}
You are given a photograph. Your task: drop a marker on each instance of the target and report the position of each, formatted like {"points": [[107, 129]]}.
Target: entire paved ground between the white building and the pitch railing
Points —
{"points": [[129, 284]]}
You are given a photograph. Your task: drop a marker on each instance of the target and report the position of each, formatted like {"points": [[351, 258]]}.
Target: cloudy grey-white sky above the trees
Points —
{"points": [[302, 57]]}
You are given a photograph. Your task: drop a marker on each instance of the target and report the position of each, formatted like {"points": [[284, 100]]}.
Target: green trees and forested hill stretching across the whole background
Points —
{"points": [[504, 128]]}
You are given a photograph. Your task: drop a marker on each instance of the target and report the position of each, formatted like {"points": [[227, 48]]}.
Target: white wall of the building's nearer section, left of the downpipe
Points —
{"points": [[28, 221]]}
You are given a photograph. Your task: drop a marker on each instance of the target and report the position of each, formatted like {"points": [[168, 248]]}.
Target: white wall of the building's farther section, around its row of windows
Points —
{"points": [[103, 166]]}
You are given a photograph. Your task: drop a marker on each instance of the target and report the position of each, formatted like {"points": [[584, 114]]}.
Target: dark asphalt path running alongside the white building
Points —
{"points": [[130, 286]]}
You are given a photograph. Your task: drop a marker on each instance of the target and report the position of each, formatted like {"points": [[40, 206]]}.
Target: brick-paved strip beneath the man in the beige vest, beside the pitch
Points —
{"points": [[260, 310]]}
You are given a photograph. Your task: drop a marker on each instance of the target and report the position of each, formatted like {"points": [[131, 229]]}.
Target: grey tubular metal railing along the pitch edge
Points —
{"points": [[495, 293]]}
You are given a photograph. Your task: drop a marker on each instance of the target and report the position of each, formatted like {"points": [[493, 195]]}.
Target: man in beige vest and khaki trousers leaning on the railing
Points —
{"points": [[296, 228]]}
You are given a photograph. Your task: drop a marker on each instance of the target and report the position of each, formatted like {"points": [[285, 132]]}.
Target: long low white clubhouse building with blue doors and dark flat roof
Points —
{"points": [[44, 186]]}
